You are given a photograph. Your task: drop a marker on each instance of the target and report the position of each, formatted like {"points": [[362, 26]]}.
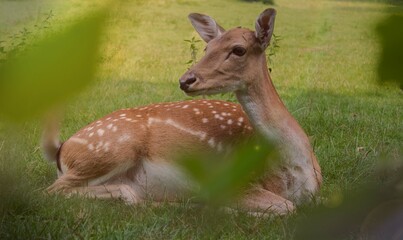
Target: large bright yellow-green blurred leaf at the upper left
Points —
{"points": [[51, 70]]}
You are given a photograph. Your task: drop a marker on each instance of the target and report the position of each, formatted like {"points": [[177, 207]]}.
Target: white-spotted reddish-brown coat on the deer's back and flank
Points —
{"points": [[151, 138]]}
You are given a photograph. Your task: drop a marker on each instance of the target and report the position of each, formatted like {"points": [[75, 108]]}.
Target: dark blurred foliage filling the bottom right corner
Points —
{"points": [[366, 212]]}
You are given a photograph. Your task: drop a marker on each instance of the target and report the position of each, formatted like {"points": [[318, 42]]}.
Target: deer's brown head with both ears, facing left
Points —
{"points": [[232, 58]]}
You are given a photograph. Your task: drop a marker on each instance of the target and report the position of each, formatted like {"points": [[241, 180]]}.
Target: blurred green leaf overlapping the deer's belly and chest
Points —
{"points": [[221, 178]]}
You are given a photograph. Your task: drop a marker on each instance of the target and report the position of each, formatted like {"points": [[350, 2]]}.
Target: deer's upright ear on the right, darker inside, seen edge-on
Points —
{"points": [[264, 27]]}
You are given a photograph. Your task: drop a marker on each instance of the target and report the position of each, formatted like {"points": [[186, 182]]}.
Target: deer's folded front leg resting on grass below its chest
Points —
{"points": [[259, 201]]}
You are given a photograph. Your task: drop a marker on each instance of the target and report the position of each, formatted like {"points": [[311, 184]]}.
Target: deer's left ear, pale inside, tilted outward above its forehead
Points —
{"points": [[207, 28]]}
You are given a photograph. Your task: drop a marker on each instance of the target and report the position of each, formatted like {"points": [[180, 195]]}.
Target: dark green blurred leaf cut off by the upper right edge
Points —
{"points": [[391, 59]]}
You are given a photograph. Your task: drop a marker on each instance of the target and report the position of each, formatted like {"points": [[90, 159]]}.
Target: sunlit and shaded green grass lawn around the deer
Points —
{"points": [[325, 71]]}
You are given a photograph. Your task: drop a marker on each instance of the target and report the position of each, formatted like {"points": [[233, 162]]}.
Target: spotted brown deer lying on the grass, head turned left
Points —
{"points": [[132, 154]]}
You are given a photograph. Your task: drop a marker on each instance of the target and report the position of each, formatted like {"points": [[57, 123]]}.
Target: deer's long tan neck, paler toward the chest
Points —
{"points": [[270, 117]]}
